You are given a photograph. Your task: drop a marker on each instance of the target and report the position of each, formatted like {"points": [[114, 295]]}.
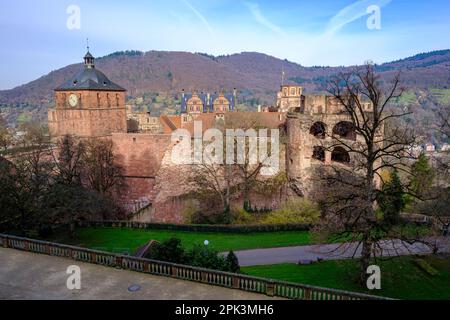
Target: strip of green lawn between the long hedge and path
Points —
{"points": [[128, 240]]}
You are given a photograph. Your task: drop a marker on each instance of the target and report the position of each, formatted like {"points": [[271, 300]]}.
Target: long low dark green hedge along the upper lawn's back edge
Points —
{"points": [[195, 227]]}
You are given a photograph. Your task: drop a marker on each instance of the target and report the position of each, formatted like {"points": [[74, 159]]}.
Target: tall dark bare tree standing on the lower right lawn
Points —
{"points": [[379, 144]]}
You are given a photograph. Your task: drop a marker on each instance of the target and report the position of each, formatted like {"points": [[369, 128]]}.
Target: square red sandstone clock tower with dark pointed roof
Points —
{"points": [[88, 105]]}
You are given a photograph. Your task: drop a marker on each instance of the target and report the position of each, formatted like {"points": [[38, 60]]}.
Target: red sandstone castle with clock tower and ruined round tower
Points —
{"points": [[90, 105]]}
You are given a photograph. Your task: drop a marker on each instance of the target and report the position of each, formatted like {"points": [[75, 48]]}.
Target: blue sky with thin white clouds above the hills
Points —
{"points": [[39, 36]]}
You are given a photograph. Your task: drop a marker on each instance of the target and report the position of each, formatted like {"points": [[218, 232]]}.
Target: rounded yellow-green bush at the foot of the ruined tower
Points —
{"points": [[297, 210]]}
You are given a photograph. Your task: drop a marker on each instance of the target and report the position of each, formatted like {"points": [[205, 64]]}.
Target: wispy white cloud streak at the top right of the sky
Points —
{"points": [[352, 13]]}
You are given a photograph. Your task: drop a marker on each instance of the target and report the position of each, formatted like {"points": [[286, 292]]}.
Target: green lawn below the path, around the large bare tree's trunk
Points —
{"points": [[401, 277]]}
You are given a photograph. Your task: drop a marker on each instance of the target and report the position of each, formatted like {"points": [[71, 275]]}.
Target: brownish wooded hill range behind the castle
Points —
{"points": [[155, 78]]}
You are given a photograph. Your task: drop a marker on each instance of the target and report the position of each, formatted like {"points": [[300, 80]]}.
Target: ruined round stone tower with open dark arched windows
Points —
{"points": [[311, 130]]}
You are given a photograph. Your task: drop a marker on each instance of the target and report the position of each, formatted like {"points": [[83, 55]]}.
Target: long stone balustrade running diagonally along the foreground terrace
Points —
{"points": [[212, 277]]}
